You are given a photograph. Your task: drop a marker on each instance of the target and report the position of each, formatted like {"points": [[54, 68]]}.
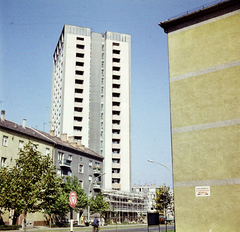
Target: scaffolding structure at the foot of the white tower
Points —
{"points": [[126, 207]]}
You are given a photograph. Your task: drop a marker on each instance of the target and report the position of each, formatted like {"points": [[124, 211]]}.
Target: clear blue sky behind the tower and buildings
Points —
{"points": [[29, 32]]}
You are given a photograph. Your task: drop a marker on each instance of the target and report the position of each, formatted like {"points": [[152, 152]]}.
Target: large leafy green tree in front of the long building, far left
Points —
{"points": [[26, 185]]}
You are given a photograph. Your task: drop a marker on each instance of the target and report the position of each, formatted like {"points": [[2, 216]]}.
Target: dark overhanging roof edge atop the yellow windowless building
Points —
{"points": [[199, 13]]}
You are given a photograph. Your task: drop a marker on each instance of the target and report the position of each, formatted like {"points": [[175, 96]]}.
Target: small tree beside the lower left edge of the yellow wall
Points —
{"points": [[163, 198]]}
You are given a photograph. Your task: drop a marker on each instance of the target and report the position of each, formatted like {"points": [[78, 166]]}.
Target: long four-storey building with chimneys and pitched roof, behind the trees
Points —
{"points": [[71, 159]]}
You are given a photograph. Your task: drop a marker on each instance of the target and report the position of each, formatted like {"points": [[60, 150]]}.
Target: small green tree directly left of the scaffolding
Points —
{"points": [[98, 204]]}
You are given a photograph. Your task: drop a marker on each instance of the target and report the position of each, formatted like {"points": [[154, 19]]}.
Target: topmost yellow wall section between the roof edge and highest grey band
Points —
{"points": [[204, 46]]}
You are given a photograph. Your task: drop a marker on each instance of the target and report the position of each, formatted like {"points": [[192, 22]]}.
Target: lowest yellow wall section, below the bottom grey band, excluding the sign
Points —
{"points": [[219, 212]]}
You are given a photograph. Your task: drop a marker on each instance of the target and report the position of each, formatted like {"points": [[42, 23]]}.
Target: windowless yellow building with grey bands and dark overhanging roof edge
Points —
{"points": [[204, 69]]}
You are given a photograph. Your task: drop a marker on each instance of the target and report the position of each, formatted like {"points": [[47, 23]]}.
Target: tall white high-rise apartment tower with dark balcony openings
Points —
{"points": [[91, 97]]}
